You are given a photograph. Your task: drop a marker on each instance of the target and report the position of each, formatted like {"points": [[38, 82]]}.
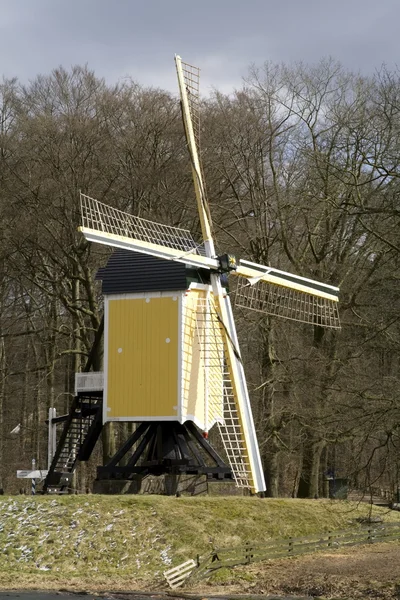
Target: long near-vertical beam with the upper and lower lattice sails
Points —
{"points": [[240, 438]]}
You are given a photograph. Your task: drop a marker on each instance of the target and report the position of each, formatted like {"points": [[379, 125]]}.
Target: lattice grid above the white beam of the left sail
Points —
{"points": [[107, 219]]}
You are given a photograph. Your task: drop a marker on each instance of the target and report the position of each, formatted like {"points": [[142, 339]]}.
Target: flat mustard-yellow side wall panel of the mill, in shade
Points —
{"points": [[142, 369]]}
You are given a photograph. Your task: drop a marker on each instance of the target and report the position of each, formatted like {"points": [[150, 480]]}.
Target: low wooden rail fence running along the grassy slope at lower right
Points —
{"points": [[249, 552]]}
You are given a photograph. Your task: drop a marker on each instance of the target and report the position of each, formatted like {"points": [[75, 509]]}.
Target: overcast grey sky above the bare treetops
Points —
{"points": [[138, 38]]}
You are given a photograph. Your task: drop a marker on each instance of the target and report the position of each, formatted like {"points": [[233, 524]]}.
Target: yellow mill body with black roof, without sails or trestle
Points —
{"points": [[163, 353]]}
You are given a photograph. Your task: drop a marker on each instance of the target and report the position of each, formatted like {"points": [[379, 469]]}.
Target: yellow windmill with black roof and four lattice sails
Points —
{"points": [[172, 354]]}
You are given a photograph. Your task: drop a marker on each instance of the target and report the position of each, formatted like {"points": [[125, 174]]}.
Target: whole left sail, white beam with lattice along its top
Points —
{"points": [[107, 225]]}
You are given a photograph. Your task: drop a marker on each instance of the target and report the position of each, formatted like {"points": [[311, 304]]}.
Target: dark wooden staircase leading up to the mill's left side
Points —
{"points": [[82, 428]]}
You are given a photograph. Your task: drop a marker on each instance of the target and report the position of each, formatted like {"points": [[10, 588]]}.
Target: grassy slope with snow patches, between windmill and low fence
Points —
{"points": [[126, 542]]}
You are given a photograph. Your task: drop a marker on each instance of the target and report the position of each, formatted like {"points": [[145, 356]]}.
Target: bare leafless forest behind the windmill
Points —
{"points": [[302, 166]]}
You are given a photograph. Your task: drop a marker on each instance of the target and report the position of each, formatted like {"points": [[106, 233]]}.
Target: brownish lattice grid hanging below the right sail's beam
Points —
{"points": [[279, 301]]}
